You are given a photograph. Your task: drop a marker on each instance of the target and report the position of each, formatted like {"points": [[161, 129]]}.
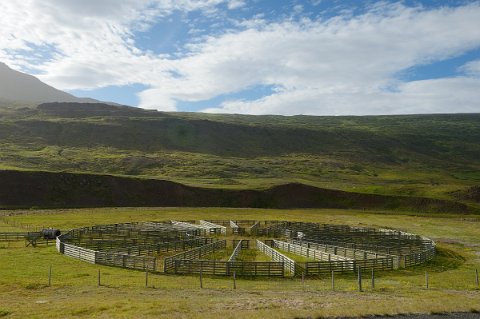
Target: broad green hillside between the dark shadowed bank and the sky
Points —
{"points": [[417, 155]]}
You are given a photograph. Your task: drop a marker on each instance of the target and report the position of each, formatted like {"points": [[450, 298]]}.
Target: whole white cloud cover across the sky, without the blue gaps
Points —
{"points": [[342, 65]]}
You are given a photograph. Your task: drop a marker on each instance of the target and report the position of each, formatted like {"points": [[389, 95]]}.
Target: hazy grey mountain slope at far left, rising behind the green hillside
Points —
{"points": [[18, 87]]}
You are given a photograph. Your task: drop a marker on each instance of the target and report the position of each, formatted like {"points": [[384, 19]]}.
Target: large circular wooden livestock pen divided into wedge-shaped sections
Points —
{"points": [[245, 247]]}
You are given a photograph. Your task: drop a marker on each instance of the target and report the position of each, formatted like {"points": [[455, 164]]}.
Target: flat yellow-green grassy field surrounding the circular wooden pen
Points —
{"points": [[74, 291]]}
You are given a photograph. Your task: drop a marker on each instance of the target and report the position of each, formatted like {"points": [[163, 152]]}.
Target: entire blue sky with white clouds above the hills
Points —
{"points": [[315, 57]]}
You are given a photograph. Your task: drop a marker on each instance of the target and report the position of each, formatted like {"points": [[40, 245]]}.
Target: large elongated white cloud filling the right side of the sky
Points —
{"points": [[340, 66]]}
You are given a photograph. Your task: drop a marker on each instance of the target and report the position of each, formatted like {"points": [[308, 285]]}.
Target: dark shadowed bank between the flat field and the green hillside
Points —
{"points": [[67, 190]]}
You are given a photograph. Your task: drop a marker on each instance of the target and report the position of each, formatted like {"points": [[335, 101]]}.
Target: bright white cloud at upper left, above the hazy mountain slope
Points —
{"points": [[93, 40]]}
